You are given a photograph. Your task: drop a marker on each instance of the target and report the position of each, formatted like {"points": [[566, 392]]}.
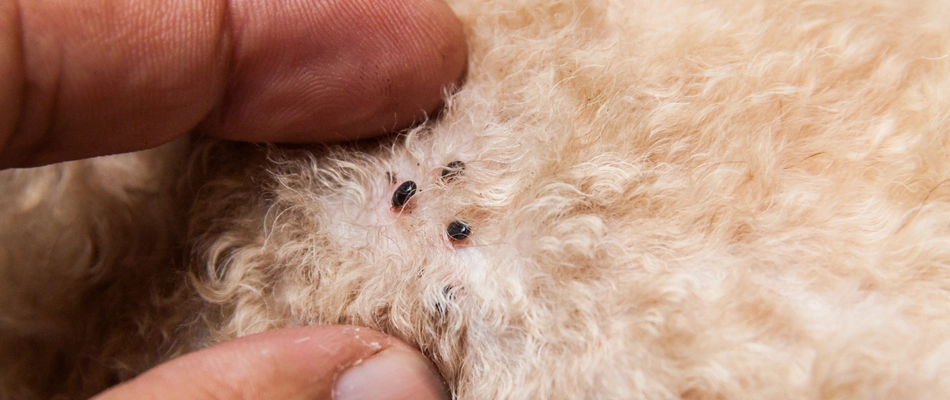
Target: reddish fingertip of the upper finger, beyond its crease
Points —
{"points": [[338, 70]]}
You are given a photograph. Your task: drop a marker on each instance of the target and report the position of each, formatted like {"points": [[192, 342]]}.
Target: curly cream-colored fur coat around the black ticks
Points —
{"points": [[668, 199]]}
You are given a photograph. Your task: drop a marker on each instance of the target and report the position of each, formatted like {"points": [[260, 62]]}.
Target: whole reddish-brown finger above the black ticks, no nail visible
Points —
{"points": [[105, 76]]}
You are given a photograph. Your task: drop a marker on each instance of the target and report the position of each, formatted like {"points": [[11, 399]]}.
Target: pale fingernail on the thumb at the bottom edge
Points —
{"points": [[393, 373]]}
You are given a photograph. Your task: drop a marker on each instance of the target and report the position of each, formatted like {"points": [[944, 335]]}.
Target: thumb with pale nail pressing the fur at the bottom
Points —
{"points": [[317, 362]]}
